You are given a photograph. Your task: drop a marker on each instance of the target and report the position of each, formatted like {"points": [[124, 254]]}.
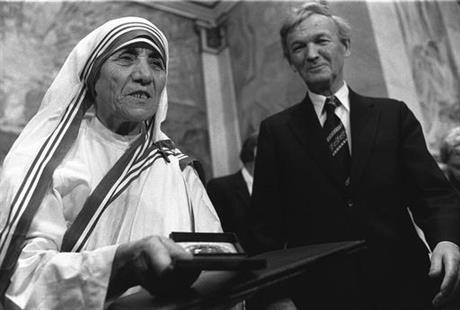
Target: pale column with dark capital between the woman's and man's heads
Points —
{"points": [[220, 99]]}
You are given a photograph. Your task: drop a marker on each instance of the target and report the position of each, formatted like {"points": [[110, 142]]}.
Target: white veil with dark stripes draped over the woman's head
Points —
{"points": [[42, 145]]}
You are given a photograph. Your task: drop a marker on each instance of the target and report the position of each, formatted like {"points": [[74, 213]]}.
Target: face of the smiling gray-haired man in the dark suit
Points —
{"points": [[317, 54]]}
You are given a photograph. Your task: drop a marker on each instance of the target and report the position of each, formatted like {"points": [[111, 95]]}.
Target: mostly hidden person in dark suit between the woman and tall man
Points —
{"points": [[231, 194]]}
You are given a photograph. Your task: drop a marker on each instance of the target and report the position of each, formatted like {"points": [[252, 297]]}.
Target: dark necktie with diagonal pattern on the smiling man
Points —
{"points": [[336, 137]]}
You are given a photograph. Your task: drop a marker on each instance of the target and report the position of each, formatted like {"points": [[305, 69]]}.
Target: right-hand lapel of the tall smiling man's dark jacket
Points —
{"points": [[364, 119]]}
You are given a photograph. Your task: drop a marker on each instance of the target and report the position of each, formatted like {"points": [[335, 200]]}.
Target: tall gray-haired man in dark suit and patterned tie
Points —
{"points": [[340, 166]]}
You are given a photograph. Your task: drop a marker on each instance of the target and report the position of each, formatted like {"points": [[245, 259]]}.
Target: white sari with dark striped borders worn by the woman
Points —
{"points": [[136, 186]]}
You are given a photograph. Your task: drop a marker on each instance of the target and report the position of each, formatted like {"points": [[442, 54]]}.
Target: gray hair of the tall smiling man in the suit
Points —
{"points": [[300, 14]]}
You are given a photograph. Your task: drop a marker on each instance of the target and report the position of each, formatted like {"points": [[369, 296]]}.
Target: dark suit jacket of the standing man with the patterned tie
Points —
{"points": [[298, 200]]}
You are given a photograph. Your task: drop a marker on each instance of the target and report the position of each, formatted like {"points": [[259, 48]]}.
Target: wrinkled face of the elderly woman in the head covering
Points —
{"points": [[129, 87]]}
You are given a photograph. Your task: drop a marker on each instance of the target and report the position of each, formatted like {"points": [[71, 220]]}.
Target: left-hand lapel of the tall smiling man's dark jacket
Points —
{"points": [[305, 125]]}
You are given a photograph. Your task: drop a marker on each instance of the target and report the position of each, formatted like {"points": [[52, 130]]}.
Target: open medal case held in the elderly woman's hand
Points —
{"points": [[215, 251]]}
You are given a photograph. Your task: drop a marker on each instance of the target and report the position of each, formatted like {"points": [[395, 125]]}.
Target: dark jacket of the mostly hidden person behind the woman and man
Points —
{"points": [[230, 197]]}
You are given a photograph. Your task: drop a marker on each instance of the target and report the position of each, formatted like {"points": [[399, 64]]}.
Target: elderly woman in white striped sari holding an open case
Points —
{"points": [[88, 198]]}
